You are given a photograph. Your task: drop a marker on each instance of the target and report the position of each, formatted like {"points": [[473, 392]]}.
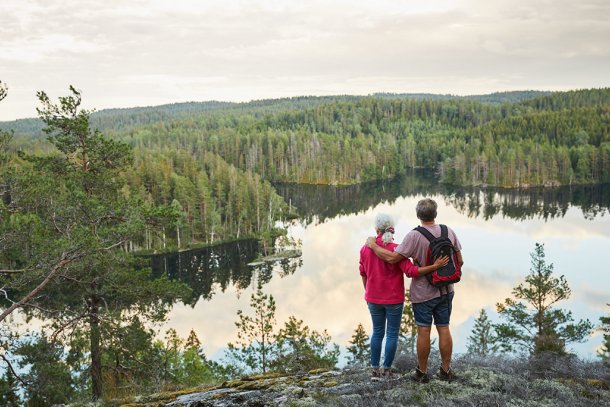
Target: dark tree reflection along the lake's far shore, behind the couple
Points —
{"points": [[319, 203]]}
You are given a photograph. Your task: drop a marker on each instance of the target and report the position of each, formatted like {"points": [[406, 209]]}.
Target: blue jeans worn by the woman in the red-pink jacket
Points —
{"points": [[382, 314]]}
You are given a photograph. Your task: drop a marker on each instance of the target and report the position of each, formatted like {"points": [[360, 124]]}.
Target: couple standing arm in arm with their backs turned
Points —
{"points": [[382, 264]]}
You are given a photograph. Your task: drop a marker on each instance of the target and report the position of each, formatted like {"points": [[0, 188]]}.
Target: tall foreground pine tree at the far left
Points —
{"points": [[72, 223]]}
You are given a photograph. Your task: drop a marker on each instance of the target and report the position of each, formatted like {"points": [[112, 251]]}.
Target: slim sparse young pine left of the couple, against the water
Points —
{"points": [[255, 338]]}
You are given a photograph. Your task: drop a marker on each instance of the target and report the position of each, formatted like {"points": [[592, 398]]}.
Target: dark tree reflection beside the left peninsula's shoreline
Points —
{"points": [[208, 269]]}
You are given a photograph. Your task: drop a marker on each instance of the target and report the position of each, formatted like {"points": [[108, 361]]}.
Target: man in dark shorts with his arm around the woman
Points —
{"points": [[430, 304]]}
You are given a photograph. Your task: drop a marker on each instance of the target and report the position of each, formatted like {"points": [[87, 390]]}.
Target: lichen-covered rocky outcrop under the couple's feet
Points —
{"points": [[476, 386]]}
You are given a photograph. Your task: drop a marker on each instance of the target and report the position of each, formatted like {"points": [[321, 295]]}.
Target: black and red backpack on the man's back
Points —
{"points": [[441, 246]]}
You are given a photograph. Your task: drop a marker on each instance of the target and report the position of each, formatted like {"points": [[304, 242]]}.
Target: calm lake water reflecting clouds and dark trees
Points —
{"points": [[498, 230]]}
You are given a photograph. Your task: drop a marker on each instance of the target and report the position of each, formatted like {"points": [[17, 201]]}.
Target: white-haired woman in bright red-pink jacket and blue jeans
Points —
{"points": [[384, 292]]}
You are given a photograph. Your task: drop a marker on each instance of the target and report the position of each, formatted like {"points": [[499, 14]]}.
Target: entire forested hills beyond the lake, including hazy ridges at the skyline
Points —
{"points": [[510, 139]]}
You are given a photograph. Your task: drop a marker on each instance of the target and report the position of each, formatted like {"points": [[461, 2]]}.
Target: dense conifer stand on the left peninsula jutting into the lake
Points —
{"points": [[214, 199]]}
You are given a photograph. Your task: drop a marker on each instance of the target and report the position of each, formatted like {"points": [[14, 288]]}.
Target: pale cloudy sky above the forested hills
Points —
{"points": [[151, 52]]}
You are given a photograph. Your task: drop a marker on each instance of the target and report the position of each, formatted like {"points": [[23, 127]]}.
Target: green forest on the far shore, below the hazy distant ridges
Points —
{"points": [[356, 140]]}
